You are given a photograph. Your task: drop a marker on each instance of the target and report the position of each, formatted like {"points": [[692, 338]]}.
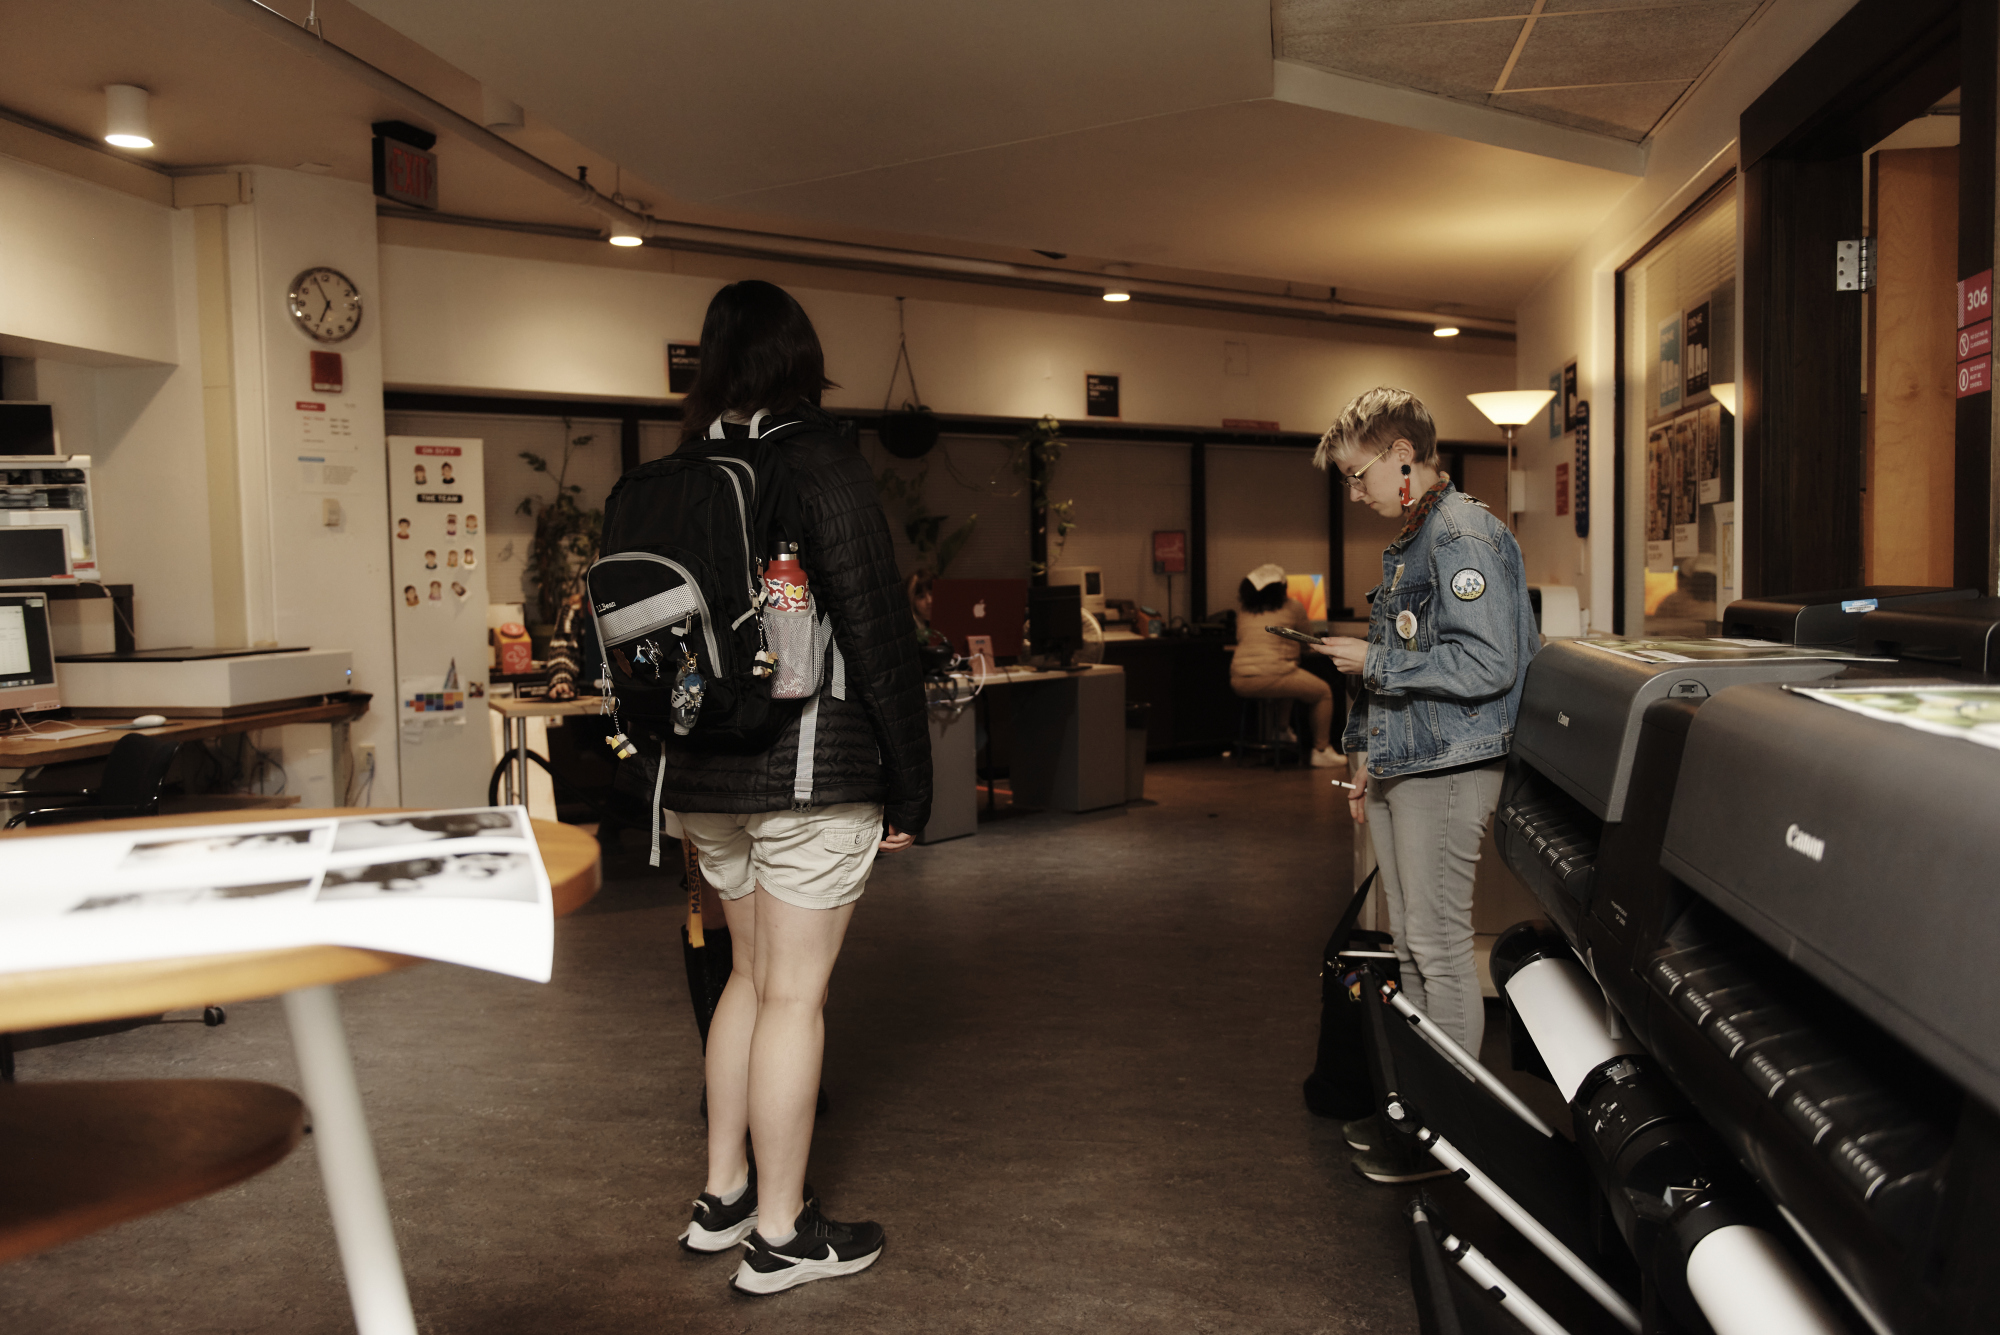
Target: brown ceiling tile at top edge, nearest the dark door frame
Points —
{"points": [[1627, 47]]}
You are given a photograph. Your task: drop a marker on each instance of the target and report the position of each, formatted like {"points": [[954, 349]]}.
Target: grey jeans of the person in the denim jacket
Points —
{"points": [[1427, 834]]}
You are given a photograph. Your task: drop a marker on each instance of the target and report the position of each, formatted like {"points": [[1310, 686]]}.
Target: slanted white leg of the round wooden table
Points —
{"points": [[349, 1166]]}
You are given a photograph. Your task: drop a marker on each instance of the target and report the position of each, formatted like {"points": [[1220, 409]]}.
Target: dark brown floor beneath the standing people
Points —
{"points": [[1063, 1062]]}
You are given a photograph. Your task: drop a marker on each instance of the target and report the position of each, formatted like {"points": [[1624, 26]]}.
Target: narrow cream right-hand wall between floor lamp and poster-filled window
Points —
{"points": [[1573, 315]]}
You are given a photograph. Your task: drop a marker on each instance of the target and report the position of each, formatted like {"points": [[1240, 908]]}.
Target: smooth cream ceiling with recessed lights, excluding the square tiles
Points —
{"points": [[1115, 131]]}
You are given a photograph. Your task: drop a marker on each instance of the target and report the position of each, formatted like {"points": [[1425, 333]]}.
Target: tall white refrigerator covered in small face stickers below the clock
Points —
{"points": [[437, 499]]}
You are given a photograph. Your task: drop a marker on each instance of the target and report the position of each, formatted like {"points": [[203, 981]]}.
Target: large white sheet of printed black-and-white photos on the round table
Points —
{"points": [[463, 886]]}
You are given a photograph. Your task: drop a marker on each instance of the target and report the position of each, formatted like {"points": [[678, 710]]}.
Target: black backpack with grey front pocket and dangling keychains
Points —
{"points": [[679, 595]]}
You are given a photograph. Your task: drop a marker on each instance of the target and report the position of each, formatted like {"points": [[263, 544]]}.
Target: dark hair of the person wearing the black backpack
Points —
{"points": [[759, 353]]}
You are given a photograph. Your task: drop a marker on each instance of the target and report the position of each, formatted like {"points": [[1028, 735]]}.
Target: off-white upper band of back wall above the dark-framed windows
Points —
{"points": [[483, 323]]}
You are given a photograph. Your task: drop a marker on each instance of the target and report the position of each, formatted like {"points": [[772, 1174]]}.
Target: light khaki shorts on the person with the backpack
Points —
{"points": [[813, 860]]}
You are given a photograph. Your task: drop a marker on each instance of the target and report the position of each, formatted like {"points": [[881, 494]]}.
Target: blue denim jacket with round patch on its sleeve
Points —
{"points": [[1449, 692]]}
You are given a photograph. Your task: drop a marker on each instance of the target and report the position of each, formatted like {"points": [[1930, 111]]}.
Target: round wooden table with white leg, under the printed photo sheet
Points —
{"points": [[305, 978]]}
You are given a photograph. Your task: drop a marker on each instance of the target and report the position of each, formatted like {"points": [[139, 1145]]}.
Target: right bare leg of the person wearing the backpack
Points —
{"points": [[795, 960]]}
